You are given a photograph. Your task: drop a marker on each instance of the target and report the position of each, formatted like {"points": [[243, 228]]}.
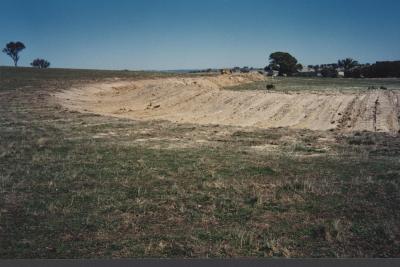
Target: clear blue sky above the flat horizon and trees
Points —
{"points": [[196, 34]]}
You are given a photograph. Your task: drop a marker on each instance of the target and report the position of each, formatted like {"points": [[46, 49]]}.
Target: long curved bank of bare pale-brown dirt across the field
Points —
{"points": [[200, 100]]}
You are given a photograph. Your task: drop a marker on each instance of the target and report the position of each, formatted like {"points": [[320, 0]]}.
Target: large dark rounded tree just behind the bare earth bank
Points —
{"points": [[284, 63]]}
